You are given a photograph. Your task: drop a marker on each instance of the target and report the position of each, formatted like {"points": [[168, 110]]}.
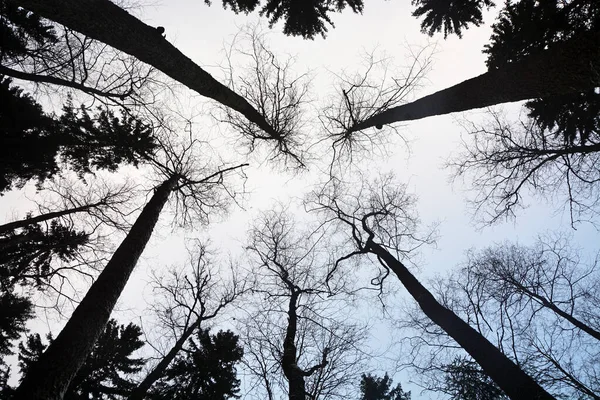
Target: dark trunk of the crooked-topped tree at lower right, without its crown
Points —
{"points": [[507, 375]]}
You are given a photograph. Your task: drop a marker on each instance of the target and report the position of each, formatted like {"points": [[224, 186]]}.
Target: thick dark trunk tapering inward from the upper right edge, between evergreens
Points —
{"points": [[571, 66]]}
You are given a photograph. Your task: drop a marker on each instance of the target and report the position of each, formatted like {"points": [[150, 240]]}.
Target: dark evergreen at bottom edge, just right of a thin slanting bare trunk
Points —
{"points": [[204, 371]]}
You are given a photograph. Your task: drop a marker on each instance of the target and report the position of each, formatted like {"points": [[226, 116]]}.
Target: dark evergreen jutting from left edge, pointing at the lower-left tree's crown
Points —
{"points": [[33, 141]]}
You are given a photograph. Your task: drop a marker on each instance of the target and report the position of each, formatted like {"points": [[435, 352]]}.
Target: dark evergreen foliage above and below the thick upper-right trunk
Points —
{"points": [[530, 26]]}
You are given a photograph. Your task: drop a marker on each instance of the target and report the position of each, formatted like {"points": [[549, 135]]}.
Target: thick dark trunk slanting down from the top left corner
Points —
{"points": [[104, 21]]}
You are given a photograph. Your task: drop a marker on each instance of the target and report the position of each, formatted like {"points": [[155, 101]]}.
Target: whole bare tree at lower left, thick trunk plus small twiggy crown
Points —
{"points": [[199, 188]]}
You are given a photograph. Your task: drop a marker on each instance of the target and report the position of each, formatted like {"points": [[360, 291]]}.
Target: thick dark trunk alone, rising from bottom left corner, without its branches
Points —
{"points": [[50, 376]]}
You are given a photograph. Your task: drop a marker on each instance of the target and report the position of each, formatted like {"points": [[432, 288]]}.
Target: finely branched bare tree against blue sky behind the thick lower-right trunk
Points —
{"points": [[535, 303]]}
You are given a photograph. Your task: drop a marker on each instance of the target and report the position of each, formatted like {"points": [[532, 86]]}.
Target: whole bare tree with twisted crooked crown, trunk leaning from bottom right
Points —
{"points": [[379, 220]]}
